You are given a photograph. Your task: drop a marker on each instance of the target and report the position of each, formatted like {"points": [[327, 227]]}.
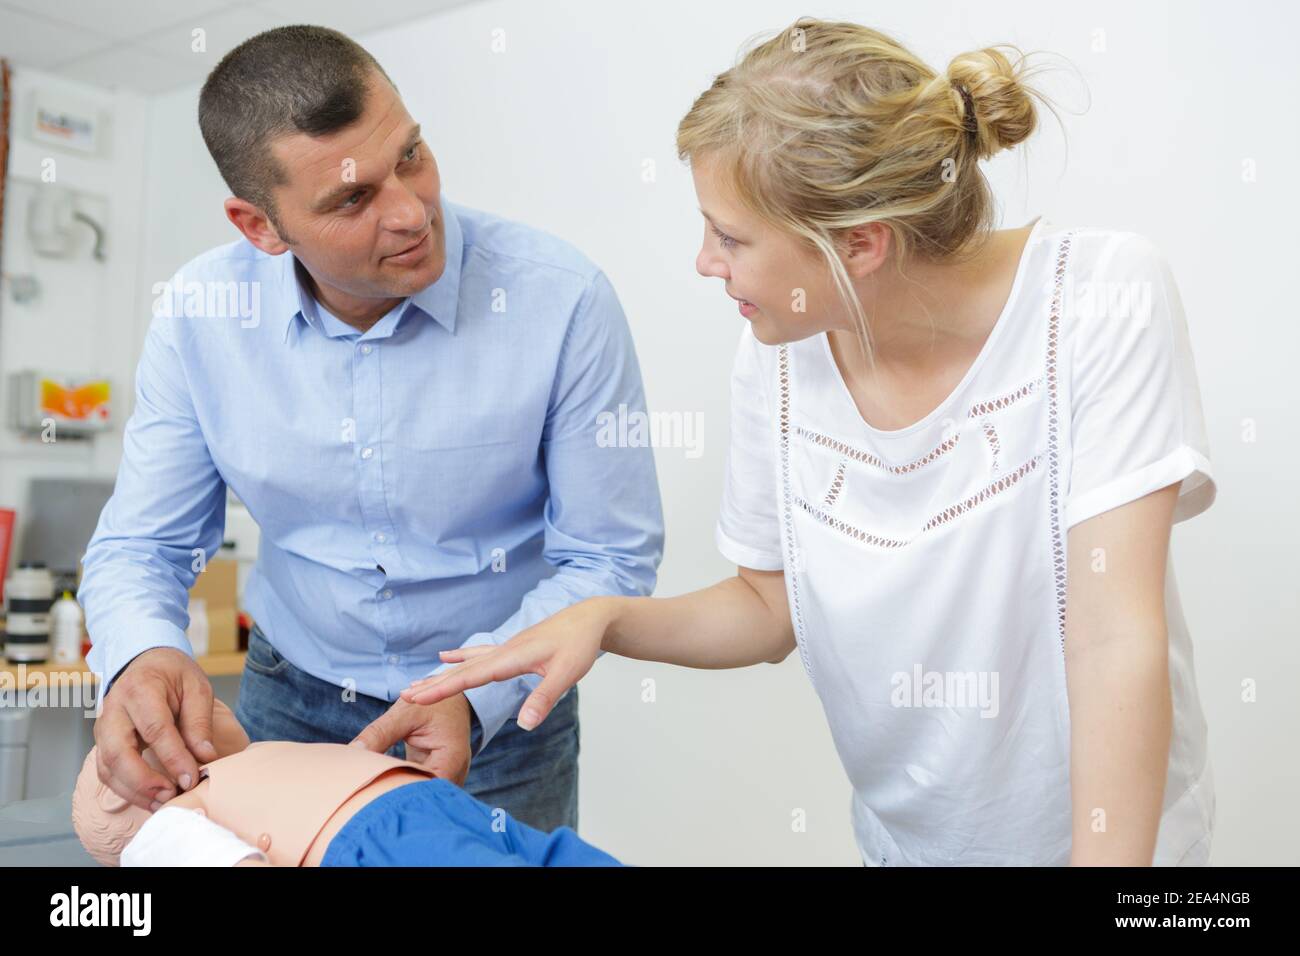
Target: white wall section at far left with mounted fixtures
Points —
{"points": [[84, 323]]}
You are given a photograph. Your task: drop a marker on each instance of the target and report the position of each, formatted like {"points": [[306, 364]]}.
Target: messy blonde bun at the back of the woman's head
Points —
{"points": [[1004, 110]]}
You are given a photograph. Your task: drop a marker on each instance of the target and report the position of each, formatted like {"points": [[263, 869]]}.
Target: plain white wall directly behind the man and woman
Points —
{"points": [[556, 132]]}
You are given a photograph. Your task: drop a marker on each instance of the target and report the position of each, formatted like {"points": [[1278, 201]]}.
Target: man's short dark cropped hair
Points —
{"points": [[289, 80]]}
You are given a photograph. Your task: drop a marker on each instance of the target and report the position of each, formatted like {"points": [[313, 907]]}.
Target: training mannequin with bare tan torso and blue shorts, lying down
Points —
{"points": [[314, 806]]}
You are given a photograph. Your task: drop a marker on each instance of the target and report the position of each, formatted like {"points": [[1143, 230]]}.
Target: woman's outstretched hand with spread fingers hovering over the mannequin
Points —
{"points": [[561, 650]]}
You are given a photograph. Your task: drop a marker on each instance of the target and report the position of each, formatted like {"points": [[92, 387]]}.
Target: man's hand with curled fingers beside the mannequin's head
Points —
{"points": [[163, 702]]}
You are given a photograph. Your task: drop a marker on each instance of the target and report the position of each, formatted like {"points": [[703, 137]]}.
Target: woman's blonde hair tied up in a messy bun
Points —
{"points": [[833, 126]]}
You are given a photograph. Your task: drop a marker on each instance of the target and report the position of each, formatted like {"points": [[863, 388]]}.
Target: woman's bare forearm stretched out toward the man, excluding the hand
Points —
{"points": [[734, 624]]}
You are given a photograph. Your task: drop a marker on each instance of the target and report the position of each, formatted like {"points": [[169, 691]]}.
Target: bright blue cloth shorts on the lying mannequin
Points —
{"points": [[437, 824]]}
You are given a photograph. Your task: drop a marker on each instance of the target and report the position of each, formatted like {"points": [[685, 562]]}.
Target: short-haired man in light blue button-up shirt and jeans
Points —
{"points": [[405, 393]]}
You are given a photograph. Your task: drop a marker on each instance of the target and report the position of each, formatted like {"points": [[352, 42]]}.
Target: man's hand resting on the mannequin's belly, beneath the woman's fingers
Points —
{"points": [[437, 736]]}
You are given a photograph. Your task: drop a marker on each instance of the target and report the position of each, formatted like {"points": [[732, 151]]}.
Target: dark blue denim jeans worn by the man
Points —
{"points": [[530, 775]]}
